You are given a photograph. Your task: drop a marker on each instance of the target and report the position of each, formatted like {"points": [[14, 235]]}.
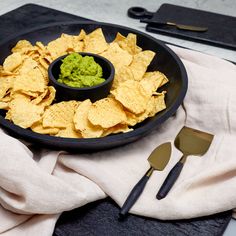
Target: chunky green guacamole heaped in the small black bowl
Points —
{"points": [[79, 71]]}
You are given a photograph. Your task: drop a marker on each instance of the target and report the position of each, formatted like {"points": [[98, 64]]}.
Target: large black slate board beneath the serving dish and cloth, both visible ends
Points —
{"points": [[101, 217]]}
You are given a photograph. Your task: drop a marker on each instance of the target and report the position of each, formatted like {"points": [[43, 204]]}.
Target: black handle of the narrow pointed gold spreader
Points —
{"points": [[134, 195]]}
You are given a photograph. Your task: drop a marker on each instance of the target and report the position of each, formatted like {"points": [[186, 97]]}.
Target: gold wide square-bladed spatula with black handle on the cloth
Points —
{"points": [[190, 142]]}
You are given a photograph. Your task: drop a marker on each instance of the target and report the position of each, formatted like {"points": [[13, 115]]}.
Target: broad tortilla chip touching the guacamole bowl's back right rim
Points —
{"points": [[118, 56]]}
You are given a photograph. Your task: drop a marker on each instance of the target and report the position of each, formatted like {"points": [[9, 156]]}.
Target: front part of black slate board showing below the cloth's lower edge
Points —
{"points": [[101, 218]]}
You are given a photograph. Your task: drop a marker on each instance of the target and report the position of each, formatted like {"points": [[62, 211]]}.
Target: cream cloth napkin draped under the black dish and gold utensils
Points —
{"points": [[36, 185]]}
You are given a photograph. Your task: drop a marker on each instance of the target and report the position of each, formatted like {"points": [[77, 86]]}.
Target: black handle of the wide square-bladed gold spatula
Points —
{"points": [[170, 180]]}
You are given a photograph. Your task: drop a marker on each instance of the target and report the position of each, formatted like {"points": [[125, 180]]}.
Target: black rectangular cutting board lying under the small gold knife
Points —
{"points": [[221, 28]]}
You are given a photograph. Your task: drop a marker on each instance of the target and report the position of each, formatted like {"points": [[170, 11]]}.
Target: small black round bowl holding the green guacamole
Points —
{"points": [[66, 93]]}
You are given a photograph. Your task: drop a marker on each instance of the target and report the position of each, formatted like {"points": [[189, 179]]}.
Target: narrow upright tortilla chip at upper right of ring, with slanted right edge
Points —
{"points": [[140, 63]]}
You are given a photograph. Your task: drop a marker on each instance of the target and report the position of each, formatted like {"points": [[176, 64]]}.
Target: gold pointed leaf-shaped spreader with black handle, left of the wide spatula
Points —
{"points": [[157, 160]]}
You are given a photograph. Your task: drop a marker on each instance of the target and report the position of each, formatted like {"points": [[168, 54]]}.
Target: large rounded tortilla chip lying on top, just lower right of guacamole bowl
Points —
{"points": [[132, 96]]}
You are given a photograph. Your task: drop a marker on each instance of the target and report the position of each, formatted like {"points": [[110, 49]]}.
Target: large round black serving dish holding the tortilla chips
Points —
{"points": [[165, 61]]}
